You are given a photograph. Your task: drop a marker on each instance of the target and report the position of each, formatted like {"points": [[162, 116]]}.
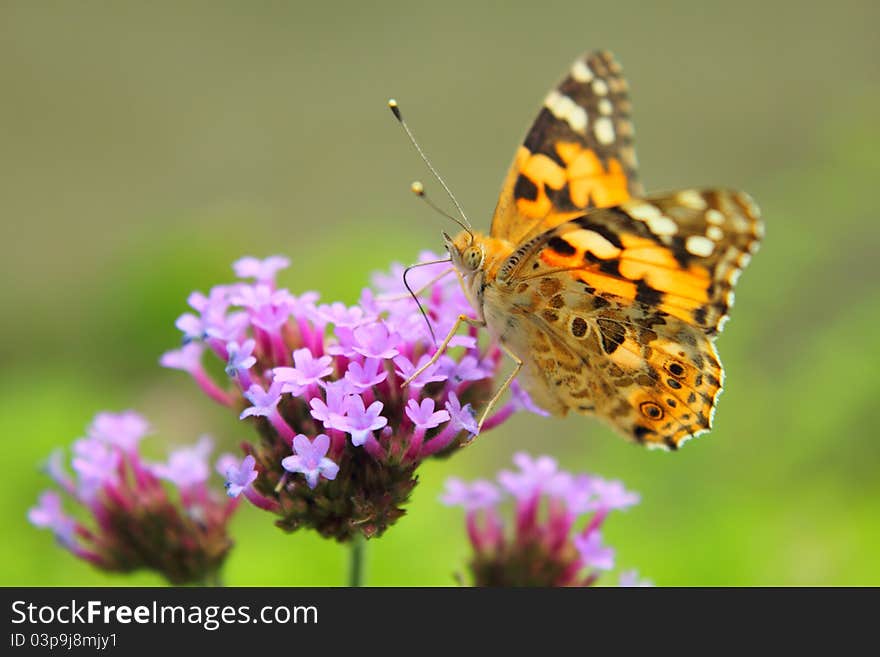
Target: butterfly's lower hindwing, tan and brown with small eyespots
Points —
{"points": [[655, 378]]}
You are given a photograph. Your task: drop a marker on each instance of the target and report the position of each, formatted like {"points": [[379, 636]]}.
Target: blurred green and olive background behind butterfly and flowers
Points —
{"points": [[145, 146]]}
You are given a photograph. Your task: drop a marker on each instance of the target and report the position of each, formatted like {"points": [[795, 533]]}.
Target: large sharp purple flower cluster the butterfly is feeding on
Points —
{"points": [[340, 437]]}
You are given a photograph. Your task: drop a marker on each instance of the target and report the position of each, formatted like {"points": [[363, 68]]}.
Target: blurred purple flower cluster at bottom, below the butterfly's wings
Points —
{"points": [[547, 545]]}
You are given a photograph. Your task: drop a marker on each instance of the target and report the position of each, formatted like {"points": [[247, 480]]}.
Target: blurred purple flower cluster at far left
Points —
{"points": [[137, 522]]}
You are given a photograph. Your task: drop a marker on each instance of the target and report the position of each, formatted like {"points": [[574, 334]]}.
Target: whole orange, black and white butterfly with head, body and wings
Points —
{"points": [[609, 300]]}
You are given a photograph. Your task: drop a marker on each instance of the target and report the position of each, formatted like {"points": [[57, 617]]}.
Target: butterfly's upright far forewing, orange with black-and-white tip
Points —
{"points": [[578, 154]]}
